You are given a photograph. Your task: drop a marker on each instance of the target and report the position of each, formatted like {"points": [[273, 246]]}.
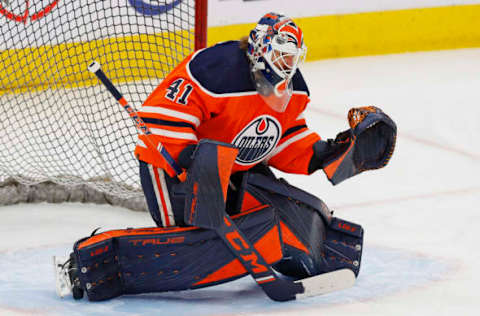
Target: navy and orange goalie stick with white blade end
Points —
{"points": [[276, 288]]}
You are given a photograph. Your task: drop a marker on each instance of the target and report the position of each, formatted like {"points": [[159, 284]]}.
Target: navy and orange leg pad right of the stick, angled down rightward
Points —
{"points": [[314, 241]]}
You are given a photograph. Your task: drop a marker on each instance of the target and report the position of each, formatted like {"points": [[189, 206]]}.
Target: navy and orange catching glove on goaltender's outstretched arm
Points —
{"points": [[367, 145]]}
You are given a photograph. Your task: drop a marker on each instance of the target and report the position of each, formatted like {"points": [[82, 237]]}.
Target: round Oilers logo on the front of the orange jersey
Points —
{"points": [[257, 139]]}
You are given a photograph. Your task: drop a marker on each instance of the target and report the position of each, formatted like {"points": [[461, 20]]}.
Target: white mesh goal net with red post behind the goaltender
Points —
{"points": [[59, 126]]}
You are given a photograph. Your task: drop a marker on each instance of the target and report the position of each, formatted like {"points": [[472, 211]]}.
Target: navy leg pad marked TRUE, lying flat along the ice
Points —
{"points": [[133, 261]]}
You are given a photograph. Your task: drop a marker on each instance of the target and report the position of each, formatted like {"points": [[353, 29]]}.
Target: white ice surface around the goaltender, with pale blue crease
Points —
{"points": [[420, 213]]}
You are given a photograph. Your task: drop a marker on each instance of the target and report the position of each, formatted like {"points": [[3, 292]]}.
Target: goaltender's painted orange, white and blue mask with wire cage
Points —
{"points": [[275, 48]]}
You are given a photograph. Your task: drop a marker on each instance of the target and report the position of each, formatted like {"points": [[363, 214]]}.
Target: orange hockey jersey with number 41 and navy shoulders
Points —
{"points": [[211, 95]]}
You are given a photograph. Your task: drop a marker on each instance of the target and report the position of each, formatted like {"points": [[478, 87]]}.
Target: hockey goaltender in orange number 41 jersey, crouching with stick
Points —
{"points": [[225, 115]]}
